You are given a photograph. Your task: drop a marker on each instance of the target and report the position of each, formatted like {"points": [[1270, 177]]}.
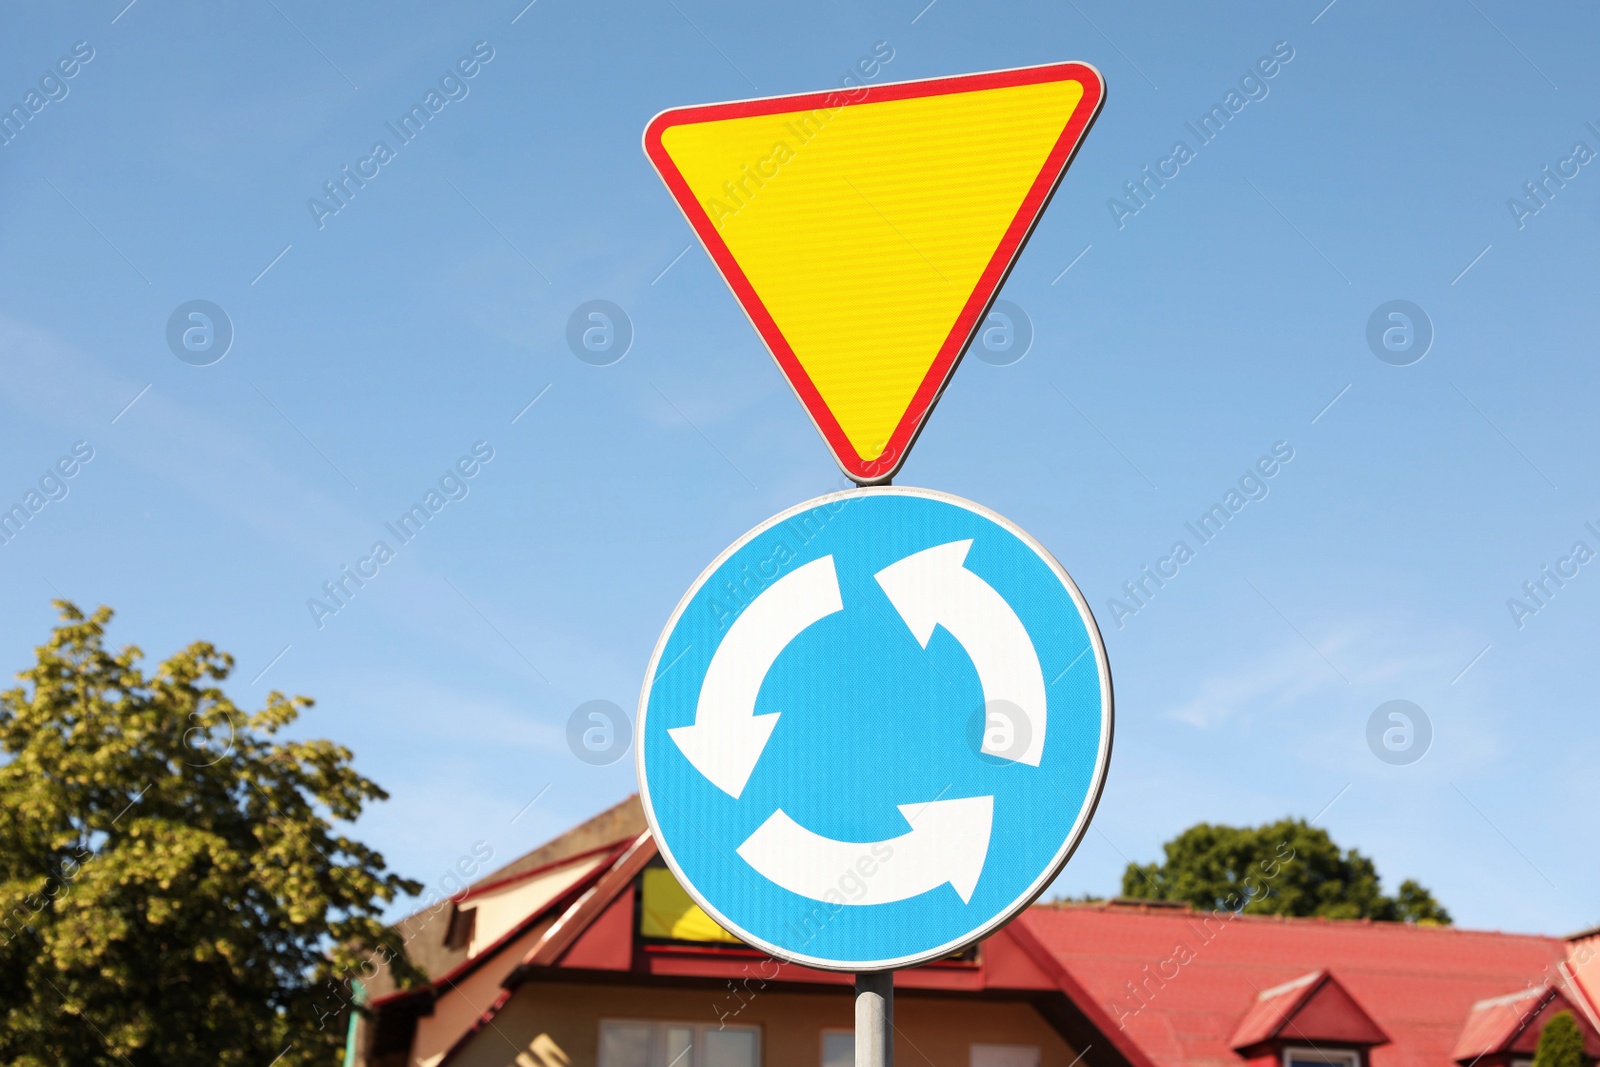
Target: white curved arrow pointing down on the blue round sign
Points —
{"points": [[729, 737]]}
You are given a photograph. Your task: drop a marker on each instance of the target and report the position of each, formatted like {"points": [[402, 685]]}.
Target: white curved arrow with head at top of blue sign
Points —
{"points": [[934, 588]]}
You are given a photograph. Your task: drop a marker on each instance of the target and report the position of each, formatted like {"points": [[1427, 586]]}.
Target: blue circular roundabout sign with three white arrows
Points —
{"points": [[874, 730]]}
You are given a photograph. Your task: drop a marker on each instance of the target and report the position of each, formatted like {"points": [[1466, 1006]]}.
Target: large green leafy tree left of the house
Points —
{"points": [[172, 887]]}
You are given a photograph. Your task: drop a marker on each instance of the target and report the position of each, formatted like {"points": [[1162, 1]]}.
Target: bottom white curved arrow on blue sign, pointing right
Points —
{"points": [[948, 842]]}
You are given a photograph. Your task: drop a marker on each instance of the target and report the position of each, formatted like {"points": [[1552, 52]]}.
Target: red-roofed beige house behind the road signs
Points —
{"points": [[588, 953]]}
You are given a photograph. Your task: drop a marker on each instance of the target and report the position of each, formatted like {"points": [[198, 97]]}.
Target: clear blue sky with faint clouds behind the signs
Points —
{"points": [[374, 351]]}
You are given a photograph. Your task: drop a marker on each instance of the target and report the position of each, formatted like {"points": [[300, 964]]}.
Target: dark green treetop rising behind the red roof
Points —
{"points": [[1287, 868]]}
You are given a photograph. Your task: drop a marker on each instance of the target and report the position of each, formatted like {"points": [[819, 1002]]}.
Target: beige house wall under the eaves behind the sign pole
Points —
{"points": [[559, 1025]]}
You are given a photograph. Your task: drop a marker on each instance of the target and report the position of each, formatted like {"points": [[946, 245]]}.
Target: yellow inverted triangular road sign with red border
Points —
{"points": [[866, 231]]}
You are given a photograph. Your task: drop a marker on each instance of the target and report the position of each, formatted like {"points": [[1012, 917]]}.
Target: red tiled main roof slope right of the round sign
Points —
{"points": [[1182, 983]]}
